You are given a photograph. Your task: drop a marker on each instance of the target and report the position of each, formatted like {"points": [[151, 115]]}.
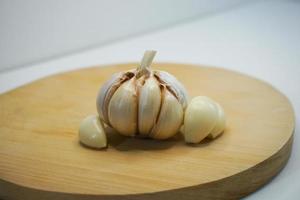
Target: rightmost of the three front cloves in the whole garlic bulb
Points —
{"points": [[170, 117]]}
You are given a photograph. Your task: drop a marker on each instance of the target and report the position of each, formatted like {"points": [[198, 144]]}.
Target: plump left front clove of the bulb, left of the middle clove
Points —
{"points": [[122, 109]]}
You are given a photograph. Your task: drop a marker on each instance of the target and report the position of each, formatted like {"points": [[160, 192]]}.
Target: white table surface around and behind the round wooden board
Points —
{"points": [[261, 39]]}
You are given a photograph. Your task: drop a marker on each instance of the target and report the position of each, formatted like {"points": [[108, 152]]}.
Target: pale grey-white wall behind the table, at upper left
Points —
{"points": [[35, 30]]}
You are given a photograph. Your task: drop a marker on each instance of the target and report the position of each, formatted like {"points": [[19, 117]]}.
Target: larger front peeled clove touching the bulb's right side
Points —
{"points": [[200, 118]]}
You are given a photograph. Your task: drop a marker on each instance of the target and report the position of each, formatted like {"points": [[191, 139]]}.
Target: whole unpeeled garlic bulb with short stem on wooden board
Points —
{"points": [[143, 102]]}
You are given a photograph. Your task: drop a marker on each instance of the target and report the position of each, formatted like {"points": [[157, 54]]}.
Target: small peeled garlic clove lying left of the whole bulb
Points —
{"points": [[91, 132]]}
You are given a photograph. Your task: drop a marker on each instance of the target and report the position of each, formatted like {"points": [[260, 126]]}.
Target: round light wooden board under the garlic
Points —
{"points": [[41, 158]]}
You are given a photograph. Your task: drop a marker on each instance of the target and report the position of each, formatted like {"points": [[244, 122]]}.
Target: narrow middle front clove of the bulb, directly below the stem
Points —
{"points": [[149, 105]]}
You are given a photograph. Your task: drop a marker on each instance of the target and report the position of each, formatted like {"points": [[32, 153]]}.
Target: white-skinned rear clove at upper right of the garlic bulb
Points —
{"points": [[172, 82]]}
